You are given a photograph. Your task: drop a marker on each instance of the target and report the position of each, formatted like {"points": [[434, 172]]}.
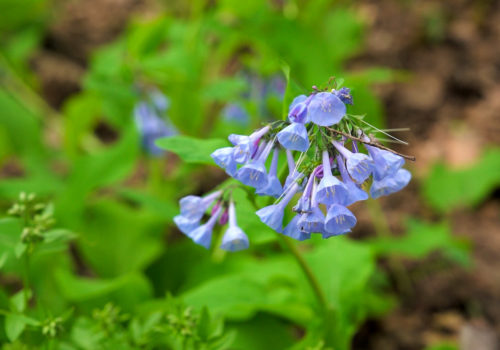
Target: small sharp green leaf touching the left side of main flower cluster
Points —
{"points": [[190, 149]]}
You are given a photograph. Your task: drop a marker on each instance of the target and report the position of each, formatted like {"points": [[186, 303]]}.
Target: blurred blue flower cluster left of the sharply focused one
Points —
{"points": [[148, 118]]}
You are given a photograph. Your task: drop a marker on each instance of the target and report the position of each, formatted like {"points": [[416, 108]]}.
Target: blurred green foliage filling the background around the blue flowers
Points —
{"points": [[113, 272]]}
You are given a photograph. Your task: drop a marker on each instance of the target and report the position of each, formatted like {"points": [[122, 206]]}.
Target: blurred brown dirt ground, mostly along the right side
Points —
{"points": [[451, 102]]}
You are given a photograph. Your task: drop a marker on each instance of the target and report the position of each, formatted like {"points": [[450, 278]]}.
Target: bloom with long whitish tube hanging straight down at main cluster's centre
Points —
{"points": [[330, 190]]}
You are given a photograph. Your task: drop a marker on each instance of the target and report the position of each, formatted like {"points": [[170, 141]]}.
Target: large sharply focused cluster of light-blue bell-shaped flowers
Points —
{"points": [[327, 170]]}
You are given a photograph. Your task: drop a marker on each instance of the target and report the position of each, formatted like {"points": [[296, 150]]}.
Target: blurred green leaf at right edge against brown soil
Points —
{"points": [[446, 189]]}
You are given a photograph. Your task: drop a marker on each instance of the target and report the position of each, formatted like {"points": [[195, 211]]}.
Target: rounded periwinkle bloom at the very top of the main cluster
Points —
{"points": [[326, 109]]}
